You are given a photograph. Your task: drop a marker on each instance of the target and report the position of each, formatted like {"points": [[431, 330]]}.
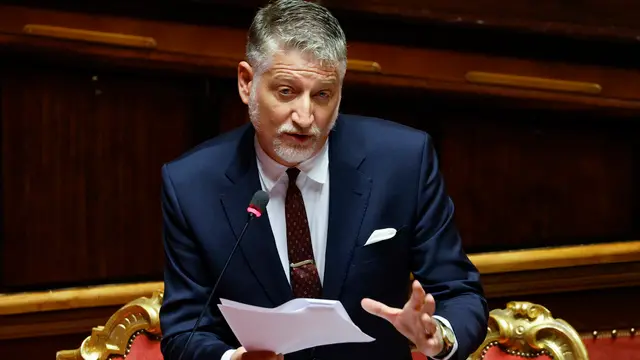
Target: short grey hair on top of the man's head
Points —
{"points": [[296, 25]]}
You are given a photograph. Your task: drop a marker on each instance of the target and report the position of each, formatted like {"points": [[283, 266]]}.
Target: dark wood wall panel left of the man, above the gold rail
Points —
{"points": [[82, 151]]}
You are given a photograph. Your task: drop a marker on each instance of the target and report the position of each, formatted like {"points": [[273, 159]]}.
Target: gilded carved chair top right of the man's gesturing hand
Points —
{"points": [[528, 330]]}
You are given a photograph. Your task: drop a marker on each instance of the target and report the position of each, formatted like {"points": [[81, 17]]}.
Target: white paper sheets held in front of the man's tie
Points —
{"points": [[296, 325]]}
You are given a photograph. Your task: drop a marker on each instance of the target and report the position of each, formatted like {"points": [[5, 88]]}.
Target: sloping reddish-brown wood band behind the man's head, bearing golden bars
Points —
{"points": [[186, 47]]}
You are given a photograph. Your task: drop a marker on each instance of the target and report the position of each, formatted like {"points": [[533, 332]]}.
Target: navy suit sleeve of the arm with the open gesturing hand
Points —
{"points": [[440, 264]]}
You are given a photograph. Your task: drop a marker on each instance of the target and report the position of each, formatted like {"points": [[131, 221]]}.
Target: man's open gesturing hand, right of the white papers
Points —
{"points": [[415, 320]]}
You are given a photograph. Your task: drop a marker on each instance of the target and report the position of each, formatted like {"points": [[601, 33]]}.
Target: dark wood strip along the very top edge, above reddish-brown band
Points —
{"points": [[611, 20]]}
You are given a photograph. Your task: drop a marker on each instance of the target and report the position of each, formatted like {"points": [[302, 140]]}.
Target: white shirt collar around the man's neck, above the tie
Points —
{"points": [[315, 168]]}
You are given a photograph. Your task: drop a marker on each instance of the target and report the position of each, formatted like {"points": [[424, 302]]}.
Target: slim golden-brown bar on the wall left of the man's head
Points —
{"points": [[99, 37]]}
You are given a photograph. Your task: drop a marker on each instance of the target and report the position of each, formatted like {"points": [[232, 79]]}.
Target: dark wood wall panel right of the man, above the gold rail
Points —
{"points": [[527, 178]]}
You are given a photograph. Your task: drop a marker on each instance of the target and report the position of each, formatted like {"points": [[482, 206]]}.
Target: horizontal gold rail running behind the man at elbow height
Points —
{"points": [[488, 263]]}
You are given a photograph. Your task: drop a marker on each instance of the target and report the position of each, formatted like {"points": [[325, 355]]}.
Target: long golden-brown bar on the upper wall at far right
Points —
{"points": [[529, 82]]}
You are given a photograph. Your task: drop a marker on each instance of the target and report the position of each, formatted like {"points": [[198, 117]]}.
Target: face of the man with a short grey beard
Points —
{"points": [[293, 106]]}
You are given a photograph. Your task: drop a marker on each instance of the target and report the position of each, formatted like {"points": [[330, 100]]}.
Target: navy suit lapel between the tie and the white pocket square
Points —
{"points": [[348, 199]]}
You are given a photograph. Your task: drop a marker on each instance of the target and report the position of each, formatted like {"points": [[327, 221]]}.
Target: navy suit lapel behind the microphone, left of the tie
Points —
{"points": [[258, 244]]}
